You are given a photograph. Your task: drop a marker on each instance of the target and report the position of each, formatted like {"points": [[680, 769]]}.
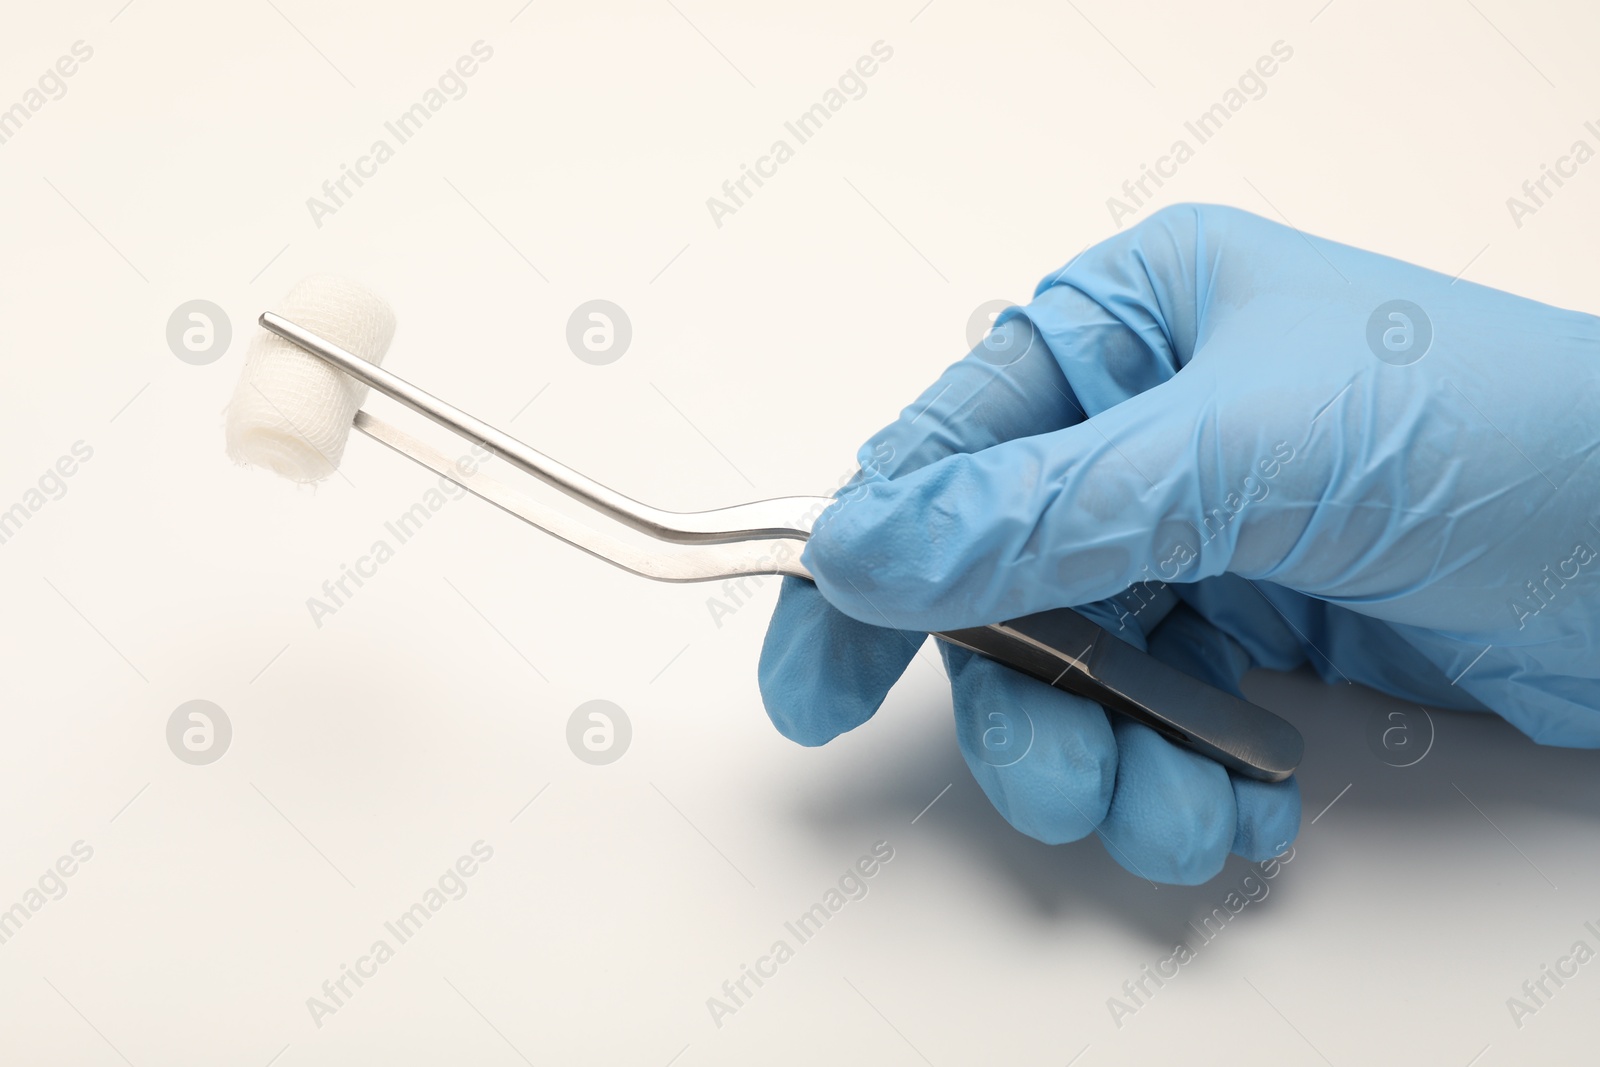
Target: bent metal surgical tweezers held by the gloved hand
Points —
{"points": [[1060, 647]]}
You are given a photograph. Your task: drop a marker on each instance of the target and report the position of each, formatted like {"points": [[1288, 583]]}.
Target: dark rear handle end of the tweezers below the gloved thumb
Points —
{"points": [[1066, 650]]}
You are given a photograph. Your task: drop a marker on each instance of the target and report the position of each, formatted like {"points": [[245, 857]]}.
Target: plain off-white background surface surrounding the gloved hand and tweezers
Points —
{"points": [[372, 753]]}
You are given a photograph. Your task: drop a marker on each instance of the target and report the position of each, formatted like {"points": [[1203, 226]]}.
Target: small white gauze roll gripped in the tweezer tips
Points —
{"points": [[292, 414]]}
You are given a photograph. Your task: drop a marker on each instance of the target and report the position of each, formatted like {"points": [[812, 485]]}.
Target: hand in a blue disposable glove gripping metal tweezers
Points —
{"points": [[1223, 441]]}
